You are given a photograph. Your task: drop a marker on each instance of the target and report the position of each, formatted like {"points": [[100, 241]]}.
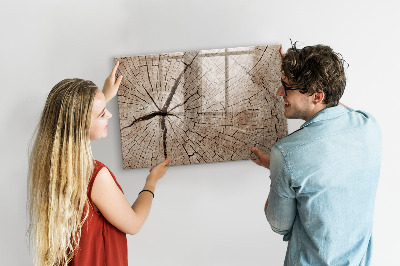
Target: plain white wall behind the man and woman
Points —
{"points": [[208, 214]]}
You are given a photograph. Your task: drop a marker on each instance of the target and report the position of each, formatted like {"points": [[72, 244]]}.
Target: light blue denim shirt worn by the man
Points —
{"points": [[323, 183]]}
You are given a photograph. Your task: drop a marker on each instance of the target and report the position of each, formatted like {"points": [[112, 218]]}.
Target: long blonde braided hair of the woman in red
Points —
{"points": [[60, 167]]}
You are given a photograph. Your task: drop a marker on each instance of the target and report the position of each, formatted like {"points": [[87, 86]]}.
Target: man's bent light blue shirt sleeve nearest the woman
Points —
{"points": [[281, 210]]}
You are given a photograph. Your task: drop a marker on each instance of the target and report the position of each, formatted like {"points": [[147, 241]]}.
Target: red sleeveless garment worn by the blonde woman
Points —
{"points": [[101, 243]]}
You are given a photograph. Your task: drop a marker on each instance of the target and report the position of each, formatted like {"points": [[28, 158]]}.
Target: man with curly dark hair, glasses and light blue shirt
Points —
{"points": [[323, 176]]}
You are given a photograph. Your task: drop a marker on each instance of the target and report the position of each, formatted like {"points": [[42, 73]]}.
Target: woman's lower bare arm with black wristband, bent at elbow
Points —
{"points": [[114, 206]]}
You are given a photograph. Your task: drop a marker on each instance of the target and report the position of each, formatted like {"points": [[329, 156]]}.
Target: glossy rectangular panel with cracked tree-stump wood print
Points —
{"points": [[199, 106]]}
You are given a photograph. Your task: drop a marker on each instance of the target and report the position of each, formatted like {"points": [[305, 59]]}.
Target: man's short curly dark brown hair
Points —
{"points": [[316, 69]]}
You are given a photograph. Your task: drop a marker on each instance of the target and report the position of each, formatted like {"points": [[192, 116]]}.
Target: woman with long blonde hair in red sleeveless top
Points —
{"points": [[78, 212]]}
